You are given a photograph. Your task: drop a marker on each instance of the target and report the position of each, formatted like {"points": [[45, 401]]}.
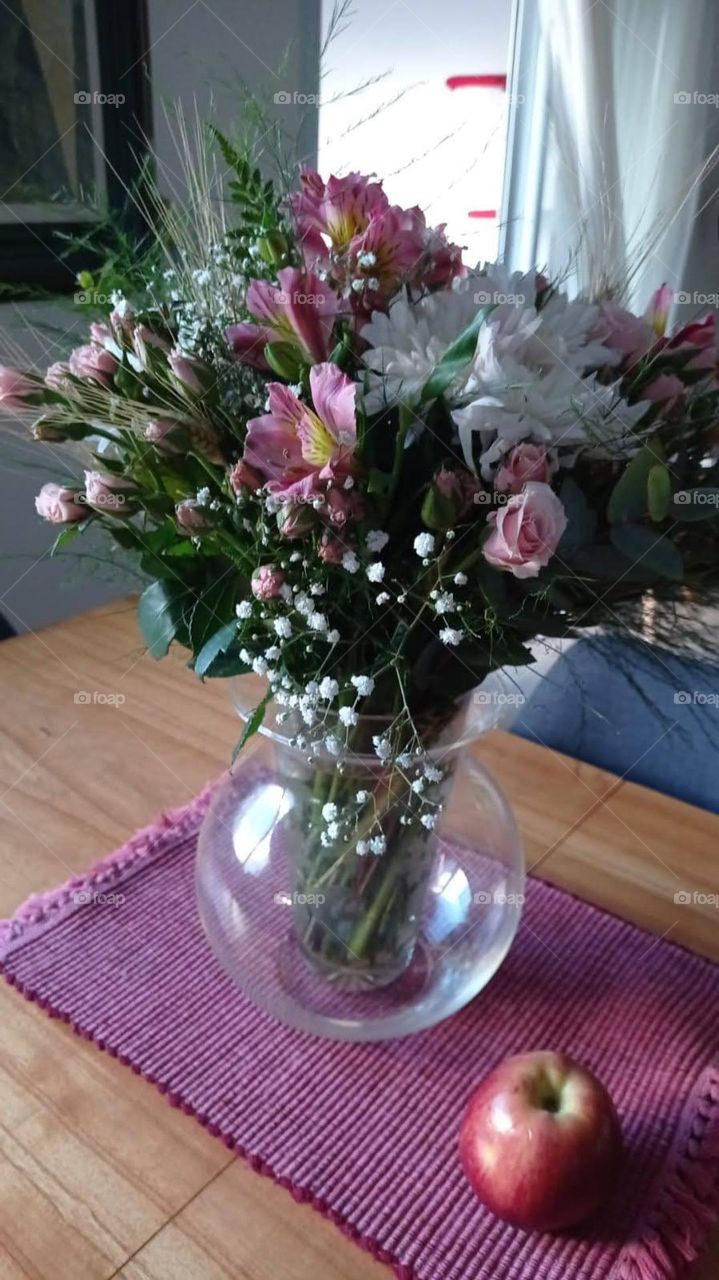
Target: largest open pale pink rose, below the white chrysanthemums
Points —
{"points": [[526, 532]]}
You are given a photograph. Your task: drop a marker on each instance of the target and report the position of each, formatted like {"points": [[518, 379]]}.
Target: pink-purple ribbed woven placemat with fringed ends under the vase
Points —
{"points": [[368, 1133]]}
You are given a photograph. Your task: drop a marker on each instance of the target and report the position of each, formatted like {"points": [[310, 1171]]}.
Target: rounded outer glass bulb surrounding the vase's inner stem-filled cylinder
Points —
{"points": [[245, 876]]}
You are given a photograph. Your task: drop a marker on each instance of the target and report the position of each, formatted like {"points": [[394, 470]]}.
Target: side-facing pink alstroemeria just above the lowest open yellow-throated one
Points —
{"points": [[301, 309]]}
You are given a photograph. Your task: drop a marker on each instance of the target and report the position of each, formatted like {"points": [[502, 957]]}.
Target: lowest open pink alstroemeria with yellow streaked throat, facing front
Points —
{"points": [[297, 450]]}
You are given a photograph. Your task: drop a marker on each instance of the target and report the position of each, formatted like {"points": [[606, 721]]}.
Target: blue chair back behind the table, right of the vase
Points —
{"points": [[640, 712]]}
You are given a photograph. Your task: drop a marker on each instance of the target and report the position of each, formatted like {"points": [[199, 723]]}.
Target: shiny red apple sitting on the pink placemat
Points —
{"points": [[542, 1142]]}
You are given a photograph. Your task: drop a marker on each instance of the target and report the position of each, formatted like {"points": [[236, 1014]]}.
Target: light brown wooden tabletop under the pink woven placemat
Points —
{"points": [[99, 1177]]}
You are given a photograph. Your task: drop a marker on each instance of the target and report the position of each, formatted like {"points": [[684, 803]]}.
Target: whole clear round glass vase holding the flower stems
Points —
{"points": [[356, 900]]}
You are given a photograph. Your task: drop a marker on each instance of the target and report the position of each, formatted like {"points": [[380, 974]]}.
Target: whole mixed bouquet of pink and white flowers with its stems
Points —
{"points": [[372, 474]]}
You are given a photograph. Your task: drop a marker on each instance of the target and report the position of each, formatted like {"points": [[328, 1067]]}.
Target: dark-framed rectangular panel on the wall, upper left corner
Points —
{"points": [[74, 111]]}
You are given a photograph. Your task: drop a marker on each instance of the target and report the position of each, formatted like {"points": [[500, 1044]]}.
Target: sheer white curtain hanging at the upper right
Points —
{"points": [[628, 98]]}
